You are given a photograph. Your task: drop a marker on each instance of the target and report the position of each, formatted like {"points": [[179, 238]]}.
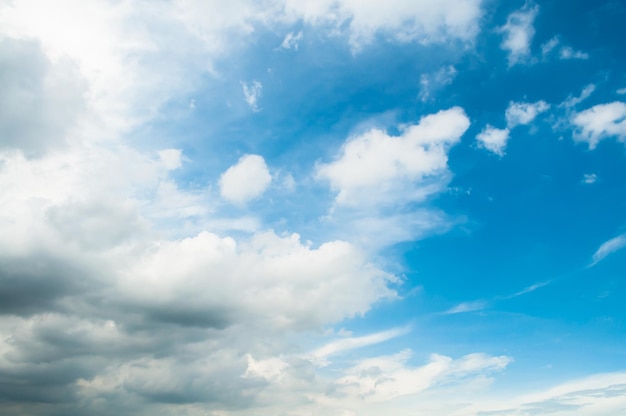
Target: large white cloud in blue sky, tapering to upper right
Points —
{"points": [[376, 168]]}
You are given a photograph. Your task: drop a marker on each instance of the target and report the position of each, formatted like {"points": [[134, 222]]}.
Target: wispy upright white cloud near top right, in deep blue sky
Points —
{"points": [[518, 33]]}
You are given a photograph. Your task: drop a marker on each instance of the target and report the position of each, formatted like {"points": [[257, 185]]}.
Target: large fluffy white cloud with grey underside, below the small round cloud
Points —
{"points": [[270, 281]]}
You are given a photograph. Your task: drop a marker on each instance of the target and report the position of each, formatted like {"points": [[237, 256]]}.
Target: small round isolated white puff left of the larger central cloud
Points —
{"points": [[246, 180]]}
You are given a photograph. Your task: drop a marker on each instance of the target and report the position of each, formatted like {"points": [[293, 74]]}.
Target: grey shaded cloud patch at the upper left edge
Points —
{"points": [[41, 100]]}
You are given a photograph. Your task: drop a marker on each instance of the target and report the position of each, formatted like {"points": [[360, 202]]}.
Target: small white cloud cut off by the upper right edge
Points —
{"points": [[599, 122]]}
